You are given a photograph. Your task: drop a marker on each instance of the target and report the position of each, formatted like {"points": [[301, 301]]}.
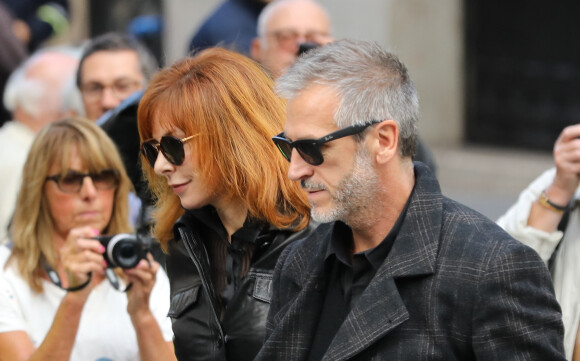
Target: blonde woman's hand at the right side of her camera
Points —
{"points": [[143, 279]]}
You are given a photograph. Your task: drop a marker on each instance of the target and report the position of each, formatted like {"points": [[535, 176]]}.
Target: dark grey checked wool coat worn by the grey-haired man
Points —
{"points": [[454, 286]]}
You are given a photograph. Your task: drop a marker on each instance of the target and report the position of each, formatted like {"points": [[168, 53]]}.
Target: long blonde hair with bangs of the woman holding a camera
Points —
{"points": [[32, 228]]}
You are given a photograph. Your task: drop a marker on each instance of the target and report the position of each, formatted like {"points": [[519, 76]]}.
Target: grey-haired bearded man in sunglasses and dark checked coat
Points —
{"points": [[396, 270]]}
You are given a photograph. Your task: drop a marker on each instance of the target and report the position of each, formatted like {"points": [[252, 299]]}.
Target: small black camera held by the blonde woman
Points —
{"points": [[123, 250]]}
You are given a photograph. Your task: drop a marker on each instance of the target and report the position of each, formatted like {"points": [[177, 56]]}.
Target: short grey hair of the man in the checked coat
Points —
{"points": [[373, 85]]}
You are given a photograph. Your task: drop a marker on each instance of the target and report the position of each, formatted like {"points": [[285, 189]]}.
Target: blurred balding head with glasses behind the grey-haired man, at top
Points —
{"points": [[282, 26]]}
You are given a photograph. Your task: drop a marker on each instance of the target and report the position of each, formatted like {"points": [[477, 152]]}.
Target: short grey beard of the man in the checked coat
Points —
{"points": [[356, 196]]}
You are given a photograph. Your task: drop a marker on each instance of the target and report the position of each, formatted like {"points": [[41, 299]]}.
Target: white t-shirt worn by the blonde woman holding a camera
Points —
{"points": [[105, 330]]}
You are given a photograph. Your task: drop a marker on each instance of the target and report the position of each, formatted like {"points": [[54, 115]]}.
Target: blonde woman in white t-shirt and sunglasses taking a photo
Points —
{"points": [[58, 298]]}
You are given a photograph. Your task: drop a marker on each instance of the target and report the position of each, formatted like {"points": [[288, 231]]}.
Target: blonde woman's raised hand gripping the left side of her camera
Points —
{"points": [[81, 255]]}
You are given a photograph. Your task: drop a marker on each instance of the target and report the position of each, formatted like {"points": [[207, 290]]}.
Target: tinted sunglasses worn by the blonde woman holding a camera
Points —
{"points": [[72, 181]]}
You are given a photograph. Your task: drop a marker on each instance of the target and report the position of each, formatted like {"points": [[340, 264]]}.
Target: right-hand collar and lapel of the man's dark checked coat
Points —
{"points": [[380, 308]]}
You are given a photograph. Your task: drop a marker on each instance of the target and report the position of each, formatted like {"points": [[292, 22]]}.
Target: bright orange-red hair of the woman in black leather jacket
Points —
{"points": [[229, 101]]}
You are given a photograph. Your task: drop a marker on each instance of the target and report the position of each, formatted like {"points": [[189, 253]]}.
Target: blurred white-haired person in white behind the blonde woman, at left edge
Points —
{"points": [[35, 95]]}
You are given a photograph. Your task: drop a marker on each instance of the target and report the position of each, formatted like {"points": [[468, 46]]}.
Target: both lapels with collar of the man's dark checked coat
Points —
{"points": [[380, 308]]}
